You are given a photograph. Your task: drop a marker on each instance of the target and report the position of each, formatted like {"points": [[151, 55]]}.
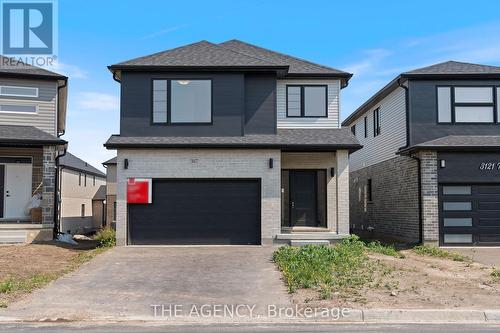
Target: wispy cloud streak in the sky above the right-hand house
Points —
{"points": [[376, 67]]}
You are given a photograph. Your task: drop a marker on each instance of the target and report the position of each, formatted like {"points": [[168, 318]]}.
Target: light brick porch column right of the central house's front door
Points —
{"points": [[342, 192]]}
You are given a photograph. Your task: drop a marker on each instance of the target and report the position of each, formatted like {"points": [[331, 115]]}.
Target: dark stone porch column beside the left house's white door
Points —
{"points": [[48, 187]]}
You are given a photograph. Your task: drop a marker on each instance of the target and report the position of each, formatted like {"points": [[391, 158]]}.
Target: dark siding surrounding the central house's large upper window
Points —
{"points": [[227, 106]]}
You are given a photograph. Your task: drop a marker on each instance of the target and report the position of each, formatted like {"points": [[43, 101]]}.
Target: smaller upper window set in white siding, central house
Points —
{"points": [[306, 101]]}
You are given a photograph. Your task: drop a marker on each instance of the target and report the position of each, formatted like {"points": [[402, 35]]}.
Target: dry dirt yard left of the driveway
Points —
{"points": [[24, 268]]}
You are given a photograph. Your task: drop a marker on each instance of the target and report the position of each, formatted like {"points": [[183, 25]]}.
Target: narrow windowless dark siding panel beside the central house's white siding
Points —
{"points": [[260, 104]]}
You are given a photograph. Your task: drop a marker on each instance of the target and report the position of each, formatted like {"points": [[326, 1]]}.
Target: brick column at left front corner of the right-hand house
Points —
{"points": [[429, 188]]}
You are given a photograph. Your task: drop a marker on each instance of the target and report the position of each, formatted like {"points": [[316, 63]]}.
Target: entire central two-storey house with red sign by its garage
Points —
{"points": [[242, 145]]}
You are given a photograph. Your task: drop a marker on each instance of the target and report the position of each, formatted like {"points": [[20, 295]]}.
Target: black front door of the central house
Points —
{"points": [[303, 198]]}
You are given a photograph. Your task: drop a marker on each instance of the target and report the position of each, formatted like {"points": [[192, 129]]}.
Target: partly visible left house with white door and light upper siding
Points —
{"points": [[32, 117]]}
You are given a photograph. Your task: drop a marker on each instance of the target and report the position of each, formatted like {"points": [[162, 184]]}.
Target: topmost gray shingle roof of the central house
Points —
{"points": [[233, 53]]}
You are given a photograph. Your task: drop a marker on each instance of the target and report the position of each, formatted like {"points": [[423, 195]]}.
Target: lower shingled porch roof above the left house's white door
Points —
{"points": [[26, 135]]}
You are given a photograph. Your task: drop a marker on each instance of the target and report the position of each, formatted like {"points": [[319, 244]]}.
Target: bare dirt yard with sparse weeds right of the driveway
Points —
{"points": [[405, 280]]}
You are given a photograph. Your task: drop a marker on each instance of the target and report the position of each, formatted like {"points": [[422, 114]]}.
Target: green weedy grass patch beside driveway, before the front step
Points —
{"points": [[340, 268]]}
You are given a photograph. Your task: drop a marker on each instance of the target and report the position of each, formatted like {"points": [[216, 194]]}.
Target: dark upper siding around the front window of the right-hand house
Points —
{"points": [[423, 112]]}
